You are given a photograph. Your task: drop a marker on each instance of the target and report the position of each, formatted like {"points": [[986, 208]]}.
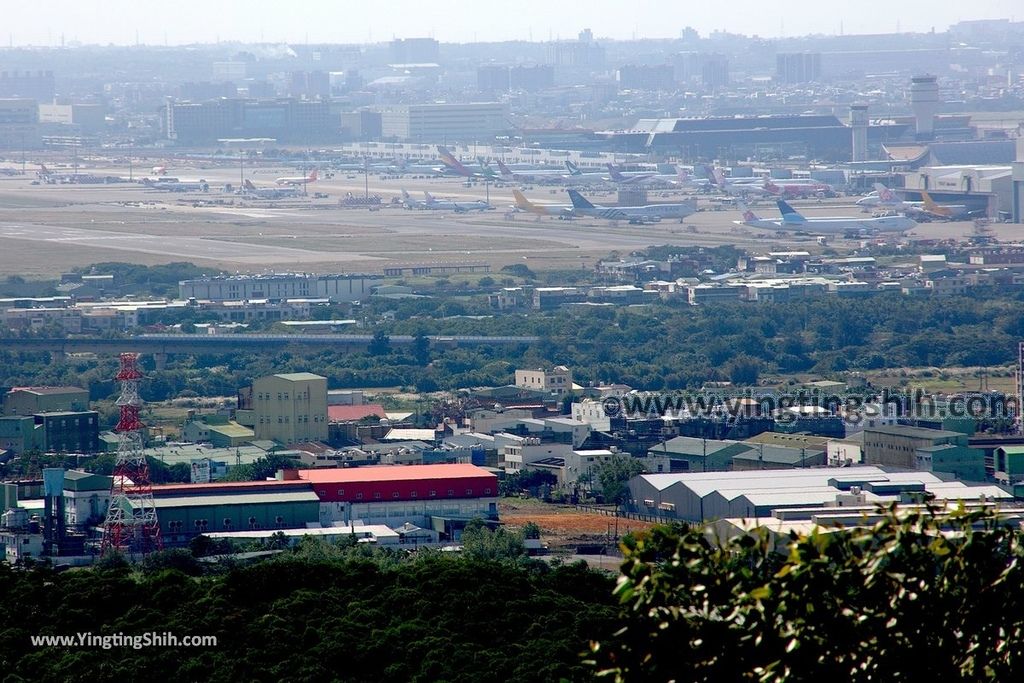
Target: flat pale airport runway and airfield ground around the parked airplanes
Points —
{"points": [[48, 229]]}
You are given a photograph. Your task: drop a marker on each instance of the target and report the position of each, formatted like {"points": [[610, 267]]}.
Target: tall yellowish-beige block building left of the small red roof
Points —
{"points": [[290, 408]]}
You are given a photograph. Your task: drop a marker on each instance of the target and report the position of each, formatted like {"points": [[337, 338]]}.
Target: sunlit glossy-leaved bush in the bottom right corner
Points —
{"points": [[914, 597]]}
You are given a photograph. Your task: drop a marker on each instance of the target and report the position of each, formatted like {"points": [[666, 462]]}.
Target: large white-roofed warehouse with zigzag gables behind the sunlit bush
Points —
{"points": [[707, 496]]}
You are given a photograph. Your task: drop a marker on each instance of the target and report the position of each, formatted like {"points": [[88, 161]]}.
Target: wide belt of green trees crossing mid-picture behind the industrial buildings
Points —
{"points": [[662, 347]]}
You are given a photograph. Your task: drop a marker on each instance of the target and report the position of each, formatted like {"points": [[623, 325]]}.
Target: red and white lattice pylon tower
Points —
{"points": [[132, 526]]}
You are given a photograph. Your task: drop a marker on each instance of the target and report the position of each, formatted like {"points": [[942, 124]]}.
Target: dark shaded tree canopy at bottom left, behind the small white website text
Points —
{"points": [[317, 614]]}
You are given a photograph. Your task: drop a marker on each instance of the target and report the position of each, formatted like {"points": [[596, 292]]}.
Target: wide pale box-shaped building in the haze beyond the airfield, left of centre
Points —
{"points": [[447, 122]]}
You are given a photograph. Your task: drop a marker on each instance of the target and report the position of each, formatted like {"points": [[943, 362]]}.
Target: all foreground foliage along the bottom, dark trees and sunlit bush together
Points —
{"points": [[917, 596]]}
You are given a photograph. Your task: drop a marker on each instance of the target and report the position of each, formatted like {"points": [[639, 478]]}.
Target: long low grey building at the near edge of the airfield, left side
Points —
{"points": [[343, 287]]}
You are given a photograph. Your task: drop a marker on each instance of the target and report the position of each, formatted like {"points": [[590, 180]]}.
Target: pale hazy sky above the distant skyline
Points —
{"points": [[44, 22]]}
